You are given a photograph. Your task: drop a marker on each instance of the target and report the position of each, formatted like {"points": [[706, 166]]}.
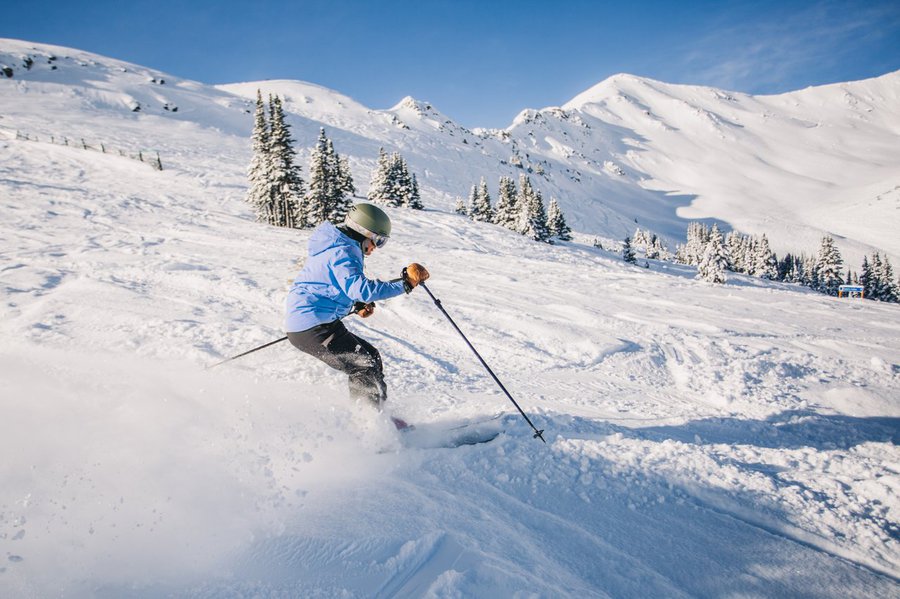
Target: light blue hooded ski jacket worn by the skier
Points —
{"points": [[331, 281]]}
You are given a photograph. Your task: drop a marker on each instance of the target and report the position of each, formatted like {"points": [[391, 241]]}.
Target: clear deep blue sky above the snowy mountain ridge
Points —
{"points": [[480, 62]]}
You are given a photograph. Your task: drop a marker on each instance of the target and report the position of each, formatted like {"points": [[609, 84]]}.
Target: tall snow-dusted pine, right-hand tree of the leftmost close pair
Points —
{"points": [[286, 185]]}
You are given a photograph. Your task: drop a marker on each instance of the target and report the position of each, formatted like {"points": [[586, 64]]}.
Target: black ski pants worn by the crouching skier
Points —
{"points": [[333, 344]]}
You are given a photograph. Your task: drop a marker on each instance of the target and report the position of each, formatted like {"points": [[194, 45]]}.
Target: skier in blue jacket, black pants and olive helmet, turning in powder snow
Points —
{"points": [[332, 285]]}
